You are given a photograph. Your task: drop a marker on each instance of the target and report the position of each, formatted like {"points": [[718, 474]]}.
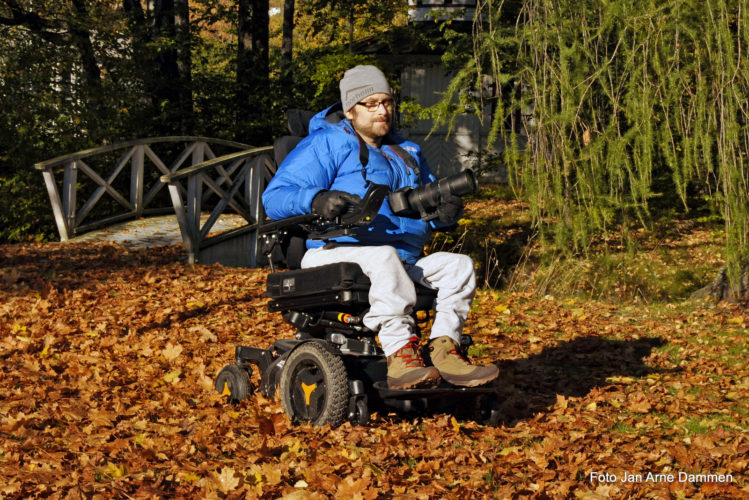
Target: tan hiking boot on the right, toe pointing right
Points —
{"points": [[455, 368]]}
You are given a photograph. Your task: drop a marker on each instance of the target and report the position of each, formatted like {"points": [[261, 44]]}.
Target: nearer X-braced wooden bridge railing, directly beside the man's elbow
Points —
{"points": [[238, 179]]}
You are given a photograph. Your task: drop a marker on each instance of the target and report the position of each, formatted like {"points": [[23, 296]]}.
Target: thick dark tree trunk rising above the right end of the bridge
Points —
{"points": [[252, 70]]}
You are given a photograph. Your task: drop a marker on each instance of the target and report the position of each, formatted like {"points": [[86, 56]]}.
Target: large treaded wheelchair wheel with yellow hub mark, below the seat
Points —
{"points": [[314, 386]]}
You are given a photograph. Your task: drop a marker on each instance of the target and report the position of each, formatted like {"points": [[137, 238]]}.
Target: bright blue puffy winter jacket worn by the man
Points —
{"points": [[328, 158]]}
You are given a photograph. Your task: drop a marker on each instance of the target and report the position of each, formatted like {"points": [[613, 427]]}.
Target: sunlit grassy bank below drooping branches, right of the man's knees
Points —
{"points": [[665, 264]]}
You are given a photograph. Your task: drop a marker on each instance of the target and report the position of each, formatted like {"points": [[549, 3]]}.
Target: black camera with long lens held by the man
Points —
{"points": [[423, 201]]}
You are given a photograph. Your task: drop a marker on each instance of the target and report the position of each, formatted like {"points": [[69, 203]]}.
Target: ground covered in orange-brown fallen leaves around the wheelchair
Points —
{"points": [[107, 360]]}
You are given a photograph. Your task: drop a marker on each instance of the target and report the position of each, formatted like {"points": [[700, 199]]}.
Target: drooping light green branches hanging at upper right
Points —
{"points": [[638, 107]]}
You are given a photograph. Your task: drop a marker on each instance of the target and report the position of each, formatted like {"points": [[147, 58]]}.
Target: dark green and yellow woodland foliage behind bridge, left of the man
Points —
{"points": [[52, 110]]}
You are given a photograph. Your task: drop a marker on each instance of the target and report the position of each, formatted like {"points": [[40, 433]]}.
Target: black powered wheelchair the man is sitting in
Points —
{"points": [[334, 370]]}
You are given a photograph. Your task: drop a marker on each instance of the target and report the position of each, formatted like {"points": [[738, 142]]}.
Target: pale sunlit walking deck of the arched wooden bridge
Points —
{"points": [[154, 231]]}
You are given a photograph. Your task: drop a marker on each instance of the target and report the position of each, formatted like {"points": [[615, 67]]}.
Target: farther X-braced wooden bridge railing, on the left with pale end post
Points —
{"points": [[133, 197]]}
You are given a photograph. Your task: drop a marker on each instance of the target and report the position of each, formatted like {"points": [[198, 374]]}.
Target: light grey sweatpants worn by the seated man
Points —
{"points": [[392, 294]]}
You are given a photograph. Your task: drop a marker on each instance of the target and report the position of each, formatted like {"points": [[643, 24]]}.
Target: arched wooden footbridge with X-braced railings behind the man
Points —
{"points": [[205, 178]]}
